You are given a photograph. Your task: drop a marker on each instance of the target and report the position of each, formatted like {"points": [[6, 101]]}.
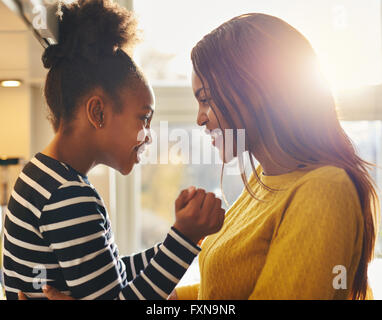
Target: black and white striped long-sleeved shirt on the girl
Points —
{"points": [[57, 231]]}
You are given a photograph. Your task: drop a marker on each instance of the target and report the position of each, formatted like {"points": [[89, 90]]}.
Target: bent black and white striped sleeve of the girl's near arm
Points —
{"points": [[74, 224]]}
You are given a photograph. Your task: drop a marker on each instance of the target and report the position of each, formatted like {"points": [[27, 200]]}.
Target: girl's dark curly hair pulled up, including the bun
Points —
{"points": [[90, 53]]}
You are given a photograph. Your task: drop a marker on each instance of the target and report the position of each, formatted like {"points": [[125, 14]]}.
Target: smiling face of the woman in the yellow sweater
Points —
{"points": [[206, 117]]}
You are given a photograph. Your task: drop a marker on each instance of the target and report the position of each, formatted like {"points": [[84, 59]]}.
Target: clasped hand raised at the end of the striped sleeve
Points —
{"points": [[198, 215]]}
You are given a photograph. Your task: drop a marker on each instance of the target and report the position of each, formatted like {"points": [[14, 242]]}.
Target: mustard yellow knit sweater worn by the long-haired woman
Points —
{"points": [[288, 246]]}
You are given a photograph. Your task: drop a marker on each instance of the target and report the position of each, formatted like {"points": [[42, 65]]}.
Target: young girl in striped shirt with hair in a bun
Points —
{"points": [[57, 229]]}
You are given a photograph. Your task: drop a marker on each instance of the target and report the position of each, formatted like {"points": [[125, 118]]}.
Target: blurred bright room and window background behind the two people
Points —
{"points": [[346, 35]]}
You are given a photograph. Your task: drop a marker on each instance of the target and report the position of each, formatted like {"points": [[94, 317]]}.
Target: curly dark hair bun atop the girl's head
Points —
{"points": [[90, 30]]}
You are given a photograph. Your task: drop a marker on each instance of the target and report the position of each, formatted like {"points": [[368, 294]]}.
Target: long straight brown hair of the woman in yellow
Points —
{"points": [[264, 77]]}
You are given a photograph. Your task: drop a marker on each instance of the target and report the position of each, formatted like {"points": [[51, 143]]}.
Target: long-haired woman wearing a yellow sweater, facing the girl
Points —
{"points": [[305, 224]]}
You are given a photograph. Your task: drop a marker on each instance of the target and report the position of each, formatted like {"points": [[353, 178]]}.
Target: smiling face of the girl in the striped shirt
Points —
{"points": [[128, 132]]}
